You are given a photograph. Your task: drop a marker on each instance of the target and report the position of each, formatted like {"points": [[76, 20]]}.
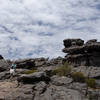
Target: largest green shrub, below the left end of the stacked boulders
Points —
{"points": [[63, 70]]}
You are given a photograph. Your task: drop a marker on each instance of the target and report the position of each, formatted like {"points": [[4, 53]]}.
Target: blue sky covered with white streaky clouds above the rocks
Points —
{"points": [[36, 28]]}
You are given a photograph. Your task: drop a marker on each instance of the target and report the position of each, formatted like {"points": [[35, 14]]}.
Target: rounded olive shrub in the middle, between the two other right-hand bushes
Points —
{"points": [[78, 77]]}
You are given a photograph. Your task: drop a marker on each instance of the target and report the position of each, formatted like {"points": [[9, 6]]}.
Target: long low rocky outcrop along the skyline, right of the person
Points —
{"points": [[38, 62]]}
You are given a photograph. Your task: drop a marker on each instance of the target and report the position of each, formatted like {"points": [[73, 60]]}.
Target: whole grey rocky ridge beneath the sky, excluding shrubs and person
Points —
{"points": [[42, 85]]}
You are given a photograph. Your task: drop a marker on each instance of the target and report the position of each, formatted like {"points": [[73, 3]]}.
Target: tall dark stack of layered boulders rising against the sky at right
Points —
{"points": [[80, 53]]}
